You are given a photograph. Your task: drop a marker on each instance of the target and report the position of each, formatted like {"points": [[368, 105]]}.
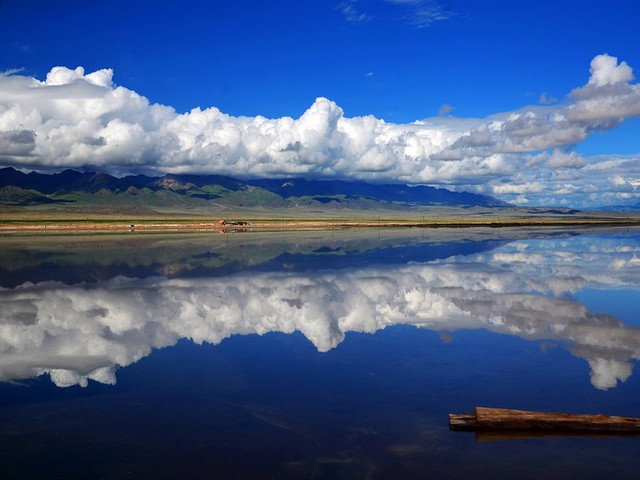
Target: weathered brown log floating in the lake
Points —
{"points": [[500, 420]]}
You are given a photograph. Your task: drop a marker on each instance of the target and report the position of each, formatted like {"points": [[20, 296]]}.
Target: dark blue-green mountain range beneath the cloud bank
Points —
{"points": [[76, 188]]}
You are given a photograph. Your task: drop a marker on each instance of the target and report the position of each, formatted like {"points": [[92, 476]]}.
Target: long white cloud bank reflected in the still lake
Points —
{"points": [[77, 332]]}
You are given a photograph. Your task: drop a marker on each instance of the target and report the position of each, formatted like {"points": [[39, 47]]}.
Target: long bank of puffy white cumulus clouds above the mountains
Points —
{"points": [[79, 119]]}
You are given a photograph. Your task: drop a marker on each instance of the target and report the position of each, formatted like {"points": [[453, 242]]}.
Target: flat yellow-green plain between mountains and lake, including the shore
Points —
{"points": [[100, 220]]}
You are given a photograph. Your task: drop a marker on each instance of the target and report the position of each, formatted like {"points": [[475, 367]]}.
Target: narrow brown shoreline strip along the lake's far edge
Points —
{"points": [[62, 226]]}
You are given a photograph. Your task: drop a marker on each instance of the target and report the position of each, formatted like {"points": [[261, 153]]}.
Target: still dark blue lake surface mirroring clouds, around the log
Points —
{"points": [[334, 355]]}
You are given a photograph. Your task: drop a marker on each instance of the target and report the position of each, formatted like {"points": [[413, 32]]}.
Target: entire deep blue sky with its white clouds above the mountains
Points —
{"points": [[378, 66]]}
